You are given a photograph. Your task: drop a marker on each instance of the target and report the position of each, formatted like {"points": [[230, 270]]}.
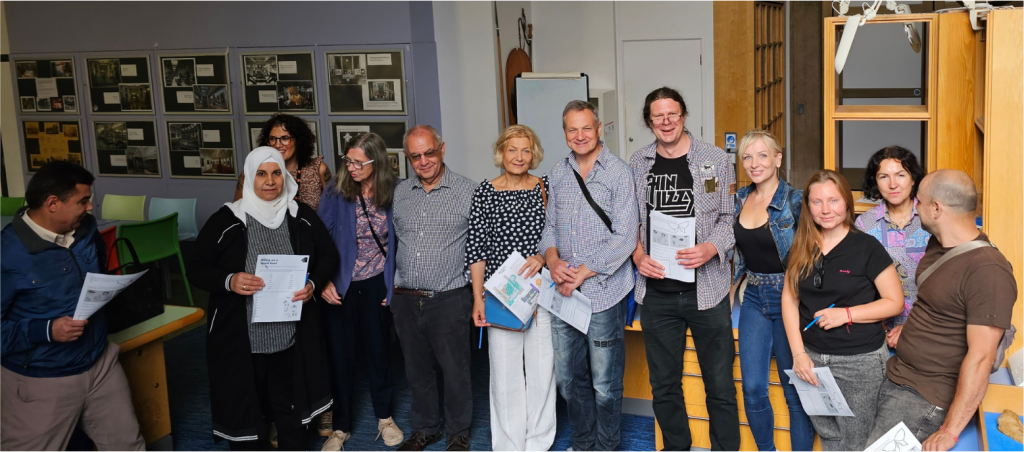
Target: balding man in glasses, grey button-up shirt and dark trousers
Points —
{"points": [[433, 303]]}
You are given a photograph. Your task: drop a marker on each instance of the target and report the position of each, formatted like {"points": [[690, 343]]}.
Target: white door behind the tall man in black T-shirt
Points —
{"points": [[650, 65]]}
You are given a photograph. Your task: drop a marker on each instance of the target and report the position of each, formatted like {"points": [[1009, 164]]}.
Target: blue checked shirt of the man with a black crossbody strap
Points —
{"points": [[582, 239]]}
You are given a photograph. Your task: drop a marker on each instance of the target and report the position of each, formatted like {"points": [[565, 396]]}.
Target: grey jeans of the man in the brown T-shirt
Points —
{"points": [[899, 403]]}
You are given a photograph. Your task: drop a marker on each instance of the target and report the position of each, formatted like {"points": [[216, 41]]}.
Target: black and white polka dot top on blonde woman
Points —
{"points": [[503, 222]]}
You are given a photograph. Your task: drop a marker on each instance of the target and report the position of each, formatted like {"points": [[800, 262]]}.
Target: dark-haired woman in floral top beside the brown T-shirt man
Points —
{"points": [[893, 176]]}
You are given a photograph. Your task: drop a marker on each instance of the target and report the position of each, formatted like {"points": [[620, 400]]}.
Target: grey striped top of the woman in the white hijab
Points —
{"points": [[268, 338]]}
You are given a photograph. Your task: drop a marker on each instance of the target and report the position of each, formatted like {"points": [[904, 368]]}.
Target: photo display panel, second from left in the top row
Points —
{"points": [[120, 86]]}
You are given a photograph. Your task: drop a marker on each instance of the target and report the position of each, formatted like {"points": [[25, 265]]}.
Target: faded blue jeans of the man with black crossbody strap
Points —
{"points": [[599, 356]]}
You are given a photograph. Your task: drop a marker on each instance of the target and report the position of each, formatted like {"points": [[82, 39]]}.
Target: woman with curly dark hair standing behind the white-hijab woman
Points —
{"points": [[292, 137]]}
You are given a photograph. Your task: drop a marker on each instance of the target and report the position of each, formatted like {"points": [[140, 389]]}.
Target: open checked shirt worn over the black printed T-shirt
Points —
{"points": [[711, 169]]}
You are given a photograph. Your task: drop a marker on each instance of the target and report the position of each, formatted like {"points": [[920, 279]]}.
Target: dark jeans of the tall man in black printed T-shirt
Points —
{"points": [[665, 318]]}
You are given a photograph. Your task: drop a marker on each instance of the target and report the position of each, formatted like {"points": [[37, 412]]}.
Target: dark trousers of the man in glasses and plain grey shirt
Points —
{"points": [[437, 331]]}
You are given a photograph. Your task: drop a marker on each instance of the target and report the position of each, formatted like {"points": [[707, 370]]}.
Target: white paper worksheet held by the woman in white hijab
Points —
{"points": [[283, 275]]}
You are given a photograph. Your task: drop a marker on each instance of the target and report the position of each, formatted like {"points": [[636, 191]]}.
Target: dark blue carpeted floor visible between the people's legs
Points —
{"points": [[189, 393]]}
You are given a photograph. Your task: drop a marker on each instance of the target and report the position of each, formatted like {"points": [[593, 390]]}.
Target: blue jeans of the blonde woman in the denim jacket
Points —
{"points": [[761, 336]]}
